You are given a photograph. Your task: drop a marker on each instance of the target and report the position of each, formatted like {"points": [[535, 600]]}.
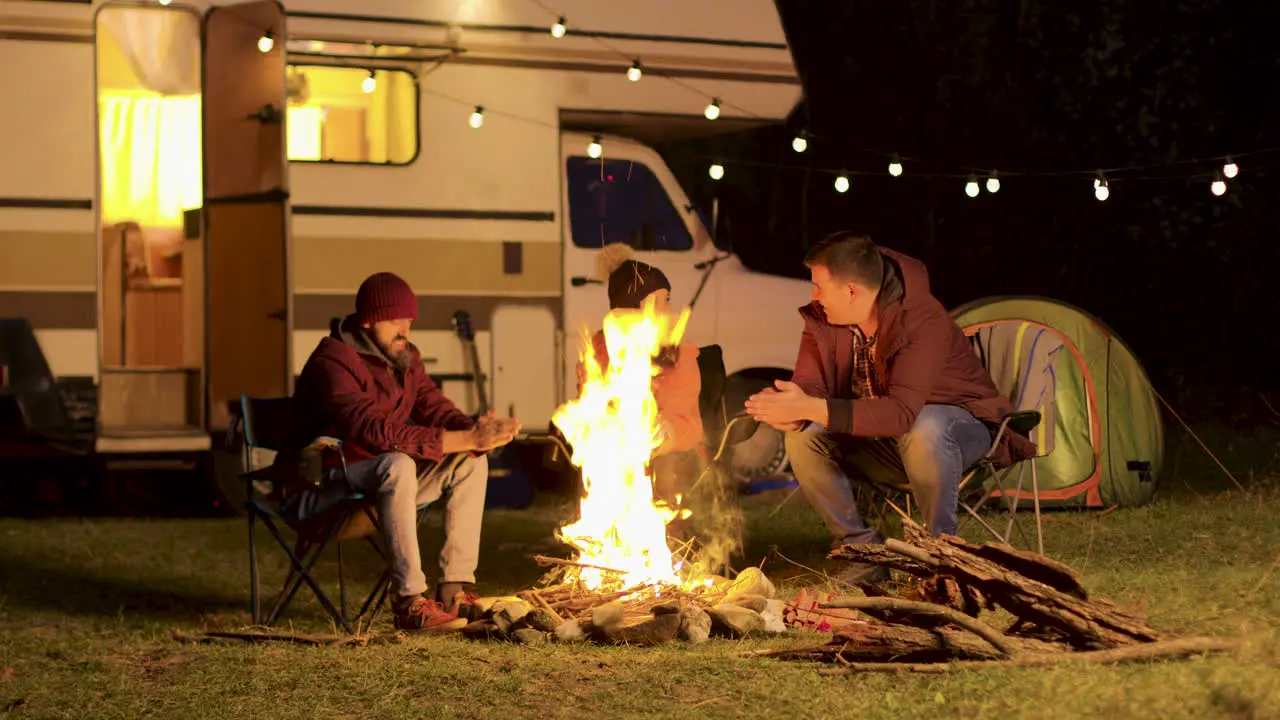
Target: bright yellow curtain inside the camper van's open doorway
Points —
{"points": [[152, 158]]}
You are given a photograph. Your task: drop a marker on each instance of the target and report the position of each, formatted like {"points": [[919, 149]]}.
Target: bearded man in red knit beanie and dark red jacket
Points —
{"points": [[405, 444]]}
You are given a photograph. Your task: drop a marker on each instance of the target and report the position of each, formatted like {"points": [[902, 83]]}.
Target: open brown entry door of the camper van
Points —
{"points": [[246, 216]]}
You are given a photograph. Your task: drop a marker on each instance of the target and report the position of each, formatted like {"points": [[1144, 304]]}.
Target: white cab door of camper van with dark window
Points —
{"points": [[628, 195]]}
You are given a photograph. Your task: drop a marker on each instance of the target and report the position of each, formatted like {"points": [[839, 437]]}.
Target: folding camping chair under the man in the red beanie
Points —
{"points": [[266, 425]]}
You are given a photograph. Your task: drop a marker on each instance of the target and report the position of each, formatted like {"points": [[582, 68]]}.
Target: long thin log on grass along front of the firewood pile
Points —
{"points": [[1162, 650]]}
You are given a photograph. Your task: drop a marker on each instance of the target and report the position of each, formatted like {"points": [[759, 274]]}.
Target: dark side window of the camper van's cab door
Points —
{"points": [[623, 202]]}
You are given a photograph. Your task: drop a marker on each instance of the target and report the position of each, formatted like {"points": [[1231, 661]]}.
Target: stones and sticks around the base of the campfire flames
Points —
{"points": [[646, 616]]}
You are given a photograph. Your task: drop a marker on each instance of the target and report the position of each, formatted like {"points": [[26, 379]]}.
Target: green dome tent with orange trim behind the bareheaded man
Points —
{"points": [[1101, 440]]}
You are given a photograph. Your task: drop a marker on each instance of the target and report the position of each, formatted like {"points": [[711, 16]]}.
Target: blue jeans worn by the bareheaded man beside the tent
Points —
{"points": [[931, 459]]}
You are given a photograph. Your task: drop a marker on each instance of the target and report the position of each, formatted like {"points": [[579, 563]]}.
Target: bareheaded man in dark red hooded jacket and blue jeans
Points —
{"points": [[888, 388]]}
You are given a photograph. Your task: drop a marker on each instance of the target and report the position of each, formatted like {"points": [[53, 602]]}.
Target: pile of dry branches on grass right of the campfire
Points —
{"points": [[939, 627]]}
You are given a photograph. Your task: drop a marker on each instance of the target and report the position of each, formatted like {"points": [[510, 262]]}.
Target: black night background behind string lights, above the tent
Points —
{"points": [[1167, 89]]}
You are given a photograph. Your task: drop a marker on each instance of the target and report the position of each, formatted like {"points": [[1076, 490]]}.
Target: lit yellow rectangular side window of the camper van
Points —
{"points": [[341, 115]]}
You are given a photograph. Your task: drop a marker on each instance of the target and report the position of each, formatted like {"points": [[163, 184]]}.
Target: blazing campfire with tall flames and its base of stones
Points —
{"points": [[628, 584]]}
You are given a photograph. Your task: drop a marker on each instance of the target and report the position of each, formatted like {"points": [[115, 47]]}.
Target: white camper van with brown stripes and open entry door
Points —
{"points": [[191, 193]]}
